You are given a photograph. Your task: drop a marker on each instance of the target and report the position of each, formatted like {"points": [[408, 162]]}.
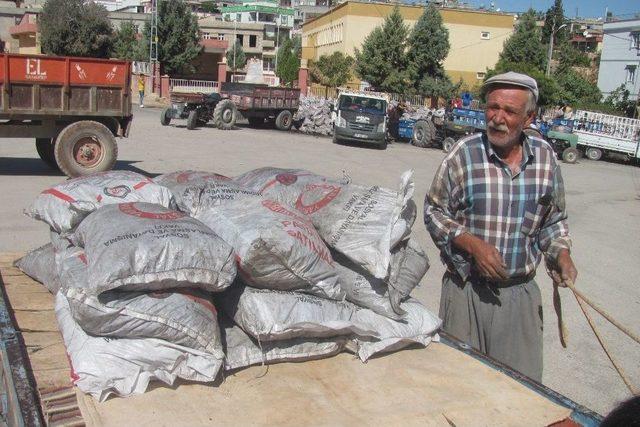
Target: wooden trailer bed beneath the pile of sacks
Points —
{"points": [[443, 384]]}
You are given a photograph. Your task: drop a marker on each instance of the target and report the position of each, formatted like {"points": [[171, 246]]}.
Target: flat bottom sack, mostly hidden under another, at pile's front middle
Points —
{"points": [[241, 350]]}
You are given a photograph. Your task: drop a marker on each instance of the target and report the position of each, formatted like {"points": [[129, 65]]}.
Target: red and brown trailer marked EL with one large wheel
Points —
{"points": [[74, 108]]}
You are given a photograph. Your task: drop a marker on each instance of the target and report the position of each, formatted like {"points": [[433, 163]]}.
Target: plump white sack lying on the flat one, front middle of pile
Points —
{"points": [[269, 315]]}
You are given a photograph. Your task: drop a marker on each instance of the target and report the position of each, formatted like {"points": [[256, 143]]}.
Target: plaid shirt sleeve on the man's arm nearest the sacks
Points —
{"points": [[439, 217]]}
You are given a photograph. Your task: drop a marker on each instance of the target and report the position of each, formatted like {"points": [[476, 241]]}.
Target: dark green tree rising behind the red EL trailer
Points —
{"points": [[75, 28]]}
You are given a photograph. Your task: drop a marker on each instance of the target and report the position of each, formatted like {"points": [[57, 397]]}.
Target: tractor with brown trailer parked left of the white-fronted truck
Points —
{"points": [[255, 102]]}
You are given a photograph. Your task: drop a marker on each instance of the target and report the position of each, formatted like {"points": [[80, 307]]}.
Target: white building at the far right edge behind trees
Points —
{"points": [[620, 58]]}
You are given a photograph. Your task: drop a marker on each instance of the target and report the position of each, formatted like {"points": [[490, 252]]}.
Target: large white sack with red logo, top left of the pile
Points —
{"points": [[146, 247]]}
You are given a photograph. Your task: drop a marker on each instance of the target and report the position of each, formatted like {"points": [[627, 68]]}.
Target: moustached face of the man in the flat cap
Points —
{"points": [[506, 115]]}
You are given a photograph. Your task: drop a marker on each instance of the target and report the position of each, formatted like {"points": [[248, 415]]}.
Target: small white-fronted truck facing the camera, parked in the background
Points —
{"points": [[361, 116]]}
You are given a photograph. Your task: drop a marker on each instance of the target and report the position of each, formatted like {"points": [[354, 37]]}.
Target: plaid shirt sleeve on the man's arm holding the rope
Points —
{"points": [[554, 232]]}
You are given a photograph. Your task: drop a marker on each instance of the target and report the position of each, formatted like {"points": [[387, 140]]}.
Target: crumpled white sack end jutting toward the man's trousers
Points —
{"points": [[419, 326]]}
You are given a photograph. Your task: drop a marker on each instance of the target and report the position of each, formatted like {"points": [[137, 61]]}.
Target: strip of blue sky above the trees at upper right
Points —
{"points": [[586, 8]]}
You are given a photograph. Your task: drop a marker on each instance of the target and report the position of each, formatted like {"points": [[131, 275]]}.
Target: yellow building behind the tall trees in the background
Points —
{"points": [[476, 37]]}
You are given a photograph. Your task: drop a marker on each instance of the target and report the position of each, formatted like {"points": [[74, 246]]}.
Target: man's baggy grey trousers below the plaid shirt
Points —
{"points": [[503, 323]]}
